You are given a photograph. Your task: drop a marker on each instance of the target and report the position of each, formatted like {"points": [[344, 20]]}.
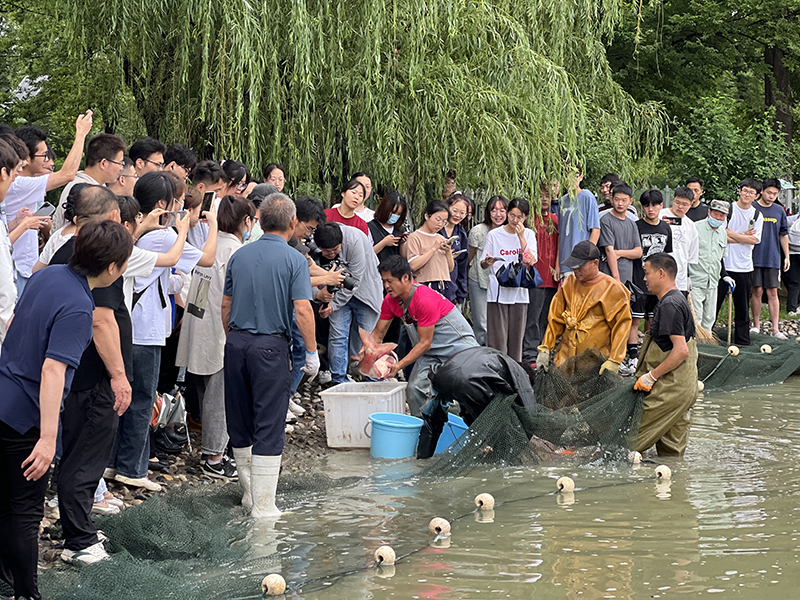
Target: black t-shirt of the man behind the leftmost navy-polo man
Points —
{"points": [[88, 373]]}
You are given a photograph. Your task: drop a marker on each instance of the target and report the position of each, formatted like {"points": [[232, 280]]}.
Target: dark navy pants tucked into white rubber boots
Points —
{"points": [[257, 385]]}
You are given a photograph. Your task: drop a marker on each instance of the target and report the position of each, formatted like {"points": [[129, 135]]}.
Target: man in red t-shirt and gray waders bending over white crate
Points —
{"points": [[437, 329]]}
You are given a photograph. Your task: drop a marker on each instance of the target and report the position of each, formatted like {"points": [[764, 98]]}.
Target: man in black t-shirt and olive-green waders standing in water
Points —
{"points": [[667, 369]]}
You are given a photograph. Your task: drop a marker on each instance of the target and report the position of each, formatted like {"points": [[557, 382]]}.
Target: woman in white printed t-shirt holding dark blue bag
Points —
{"points": [[506, 307]]}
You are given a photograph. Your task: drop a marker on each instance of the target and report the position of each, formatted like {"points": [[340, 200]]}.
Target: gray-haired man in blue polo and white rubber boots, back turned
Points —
{"points": [[265, 282]]}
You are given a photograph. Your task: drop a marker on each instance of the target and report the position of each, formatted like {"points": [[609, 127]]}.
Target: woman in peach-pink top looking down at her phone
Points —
{"points": [[428, 252]]}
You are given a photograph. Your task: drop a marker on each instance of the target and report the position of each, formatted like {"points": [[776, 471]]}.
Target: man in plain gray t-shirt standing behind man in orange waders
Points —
{"points": [[619, 241]]}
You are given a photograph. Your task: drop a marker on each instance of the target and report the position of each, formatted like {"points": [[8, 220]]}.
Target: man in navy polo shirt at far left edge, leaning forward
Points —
{"points": [[42, 349]]}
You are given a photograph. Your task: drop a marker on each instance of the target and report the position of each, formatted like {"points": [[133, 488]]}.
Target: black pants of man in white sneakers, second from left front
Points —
{"points": [[88, 426]]}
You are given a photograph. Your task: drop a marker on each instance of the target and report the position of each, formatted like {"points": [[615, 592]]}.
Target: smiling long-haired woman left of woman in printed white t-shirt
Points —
{"points": [[494, 216]]}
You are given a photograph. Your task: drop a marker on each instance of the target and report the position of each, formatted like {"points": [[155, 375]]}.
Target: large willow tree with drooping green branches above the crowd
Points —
{"points": [[501, 90]]}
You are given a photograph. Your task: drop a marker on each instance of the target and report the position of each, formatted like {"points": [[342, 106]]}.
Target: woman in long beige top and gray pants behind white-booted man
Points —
{"points": [[201, 347]]}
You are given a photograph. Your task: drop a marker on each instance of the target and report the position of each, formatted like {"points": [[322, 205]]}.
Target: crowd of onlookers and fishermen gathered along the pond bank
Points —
{"points": [[154, 269]]}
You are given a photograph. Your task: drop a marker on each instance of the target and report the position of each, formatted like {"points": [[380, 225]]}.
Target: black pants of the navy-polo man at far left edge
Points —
{"points": [[21, 511]]}
